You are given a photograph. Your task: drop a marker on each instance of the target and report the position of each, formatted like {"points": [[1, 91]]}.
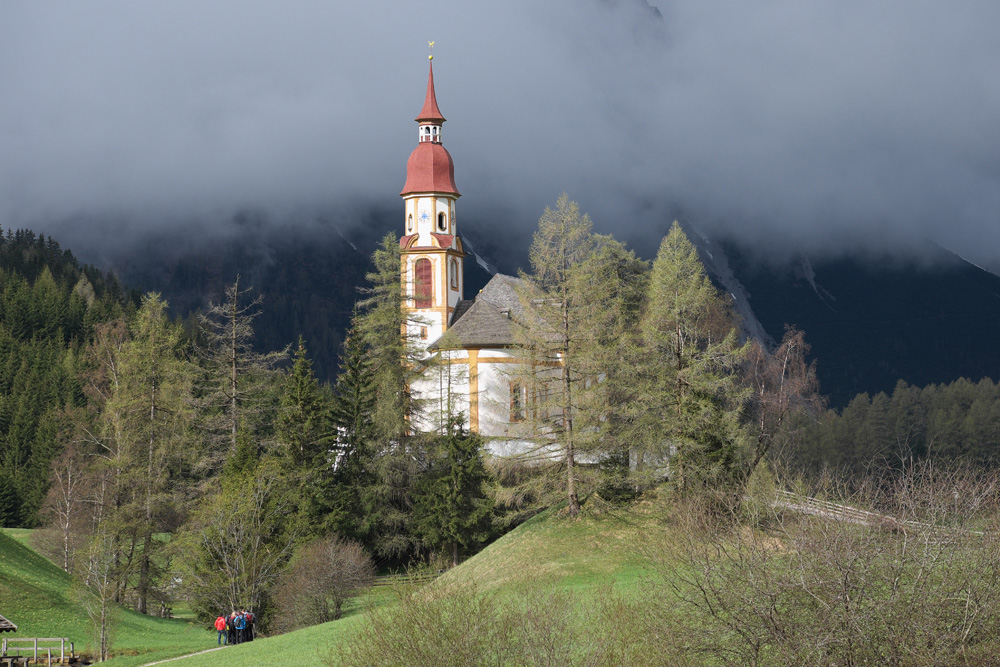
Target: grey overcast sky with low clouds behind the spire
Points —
{"points": [[816, 124]]}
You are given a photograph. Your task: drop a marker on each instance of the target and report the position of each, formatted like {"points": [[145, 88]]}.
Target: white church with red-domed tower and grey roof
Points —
{"points": [[468, 344]]}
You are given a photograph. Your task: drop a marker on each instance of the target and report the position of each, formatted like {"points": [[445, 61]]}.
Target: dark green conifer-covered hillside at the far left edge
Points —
{"points": [[50, 305]]}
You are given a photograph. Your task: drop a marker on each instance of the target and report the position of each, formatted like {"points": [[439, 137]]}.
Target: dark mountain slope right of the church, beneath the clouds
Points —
{"points": [[873, 322]]}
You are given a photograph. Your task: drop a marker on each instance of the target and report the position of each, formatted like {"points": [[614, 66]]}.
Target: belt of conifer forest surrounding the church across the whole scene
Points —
{"points": [[133, 438]]}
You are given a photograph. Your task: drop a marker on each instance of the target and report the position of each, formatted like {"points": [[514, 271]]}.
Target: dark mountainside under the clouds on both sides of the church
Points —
{"points": [[871, 321]]}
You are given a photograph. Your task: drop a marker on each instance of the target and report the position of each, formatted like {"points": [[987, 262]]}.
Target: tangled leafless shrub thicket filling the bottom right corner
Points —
{"points": [[917, 583]]}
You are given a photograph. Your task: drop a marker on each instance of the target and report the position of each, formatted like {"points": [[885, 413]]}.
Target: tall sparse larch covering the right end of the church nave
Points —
{"points": [[574, 306]]}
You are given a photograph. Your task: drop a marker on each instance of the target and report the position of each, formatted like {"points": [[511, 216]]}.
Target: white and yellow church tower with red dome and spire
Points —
{"points": [[432, 255]]}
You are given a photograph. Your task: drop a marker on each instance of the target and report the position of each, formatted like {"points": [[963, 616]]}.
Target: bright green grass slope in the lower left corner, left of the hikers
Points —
{"points": [[35, 595]]}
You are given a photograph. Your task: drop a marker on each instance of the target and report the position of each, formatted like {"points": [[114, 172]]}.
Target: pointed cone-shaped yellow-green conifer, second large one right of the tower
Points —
{"points": [[691, 395]]}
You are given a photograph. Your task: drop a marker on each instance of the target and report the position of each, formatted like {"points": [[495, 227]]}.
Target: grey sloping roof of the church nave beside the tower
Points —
{"points": [[486, 321]]}
